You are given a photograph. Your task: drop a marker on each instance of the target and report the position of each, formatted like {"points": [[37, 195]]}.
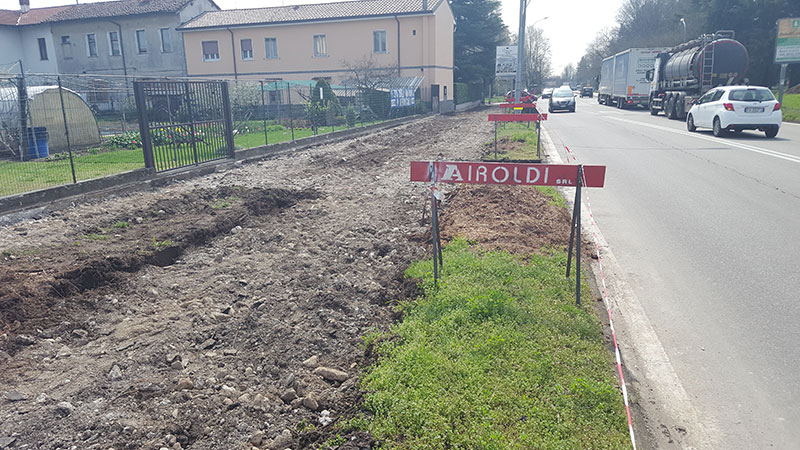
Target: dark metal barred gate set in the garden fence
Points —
{"points": [[184, 123]]}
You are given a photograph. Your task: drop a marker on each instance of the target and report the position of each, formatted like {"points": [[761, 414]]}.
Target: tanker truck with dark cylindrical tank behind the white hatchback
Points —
{"points": [[684, 73]]}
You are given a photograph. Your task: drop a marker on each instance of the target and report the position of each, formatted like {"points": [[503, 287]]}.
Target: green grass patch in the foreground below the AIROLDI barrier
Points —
{"points": [[497, 357]]}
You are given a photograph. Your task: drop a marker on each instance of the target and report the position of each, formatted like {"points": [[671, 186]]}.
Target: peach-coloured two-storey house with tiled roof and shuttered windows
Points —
{"points": [[305, 42]]}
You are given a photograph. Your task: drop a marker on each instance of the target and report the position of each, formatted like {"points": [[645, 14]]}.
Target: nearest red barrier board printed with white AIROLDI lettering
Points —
{"points": [[507, 173]]}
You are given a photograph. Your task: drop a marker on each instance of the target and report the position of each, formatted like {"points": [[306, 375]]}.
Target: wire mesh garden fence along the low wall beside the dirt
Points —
{"points": [[61, 129]]}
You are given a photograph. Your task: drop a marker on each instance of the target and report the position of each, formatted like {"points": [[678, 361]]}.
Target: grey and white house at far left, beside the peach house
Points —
{"points": [[123, 37]]}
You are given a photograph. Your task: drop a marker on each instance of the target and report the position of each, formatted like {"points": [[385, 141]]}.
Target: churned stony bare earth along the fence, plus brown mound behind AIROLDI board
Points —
{"points": [[226, 312]]}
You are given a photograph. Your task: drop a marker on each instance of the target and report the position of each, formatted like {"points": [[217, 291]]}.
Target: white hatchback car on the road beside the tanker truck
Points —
{"points": [[736, 108]]}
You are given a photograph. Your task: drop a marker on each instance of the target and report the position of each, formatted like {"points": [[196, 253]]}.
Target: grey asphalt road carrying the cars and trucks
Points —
{"points": [[706, 231]]}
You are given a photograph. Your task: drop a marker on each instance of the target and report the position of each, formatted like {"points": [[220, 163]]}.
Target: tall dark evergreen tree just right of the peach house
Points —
{"points": [[479, 30]]}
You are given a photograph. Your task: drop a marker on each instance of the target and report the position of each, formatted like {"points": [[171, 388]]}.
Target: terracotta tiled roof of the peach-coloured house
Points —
{"points": [[309, 13]]}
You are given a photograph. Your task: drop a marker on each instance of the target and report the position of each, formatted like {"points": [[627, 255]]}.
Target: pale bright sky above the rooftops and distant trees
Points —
{"points": [[570, 25]]}
